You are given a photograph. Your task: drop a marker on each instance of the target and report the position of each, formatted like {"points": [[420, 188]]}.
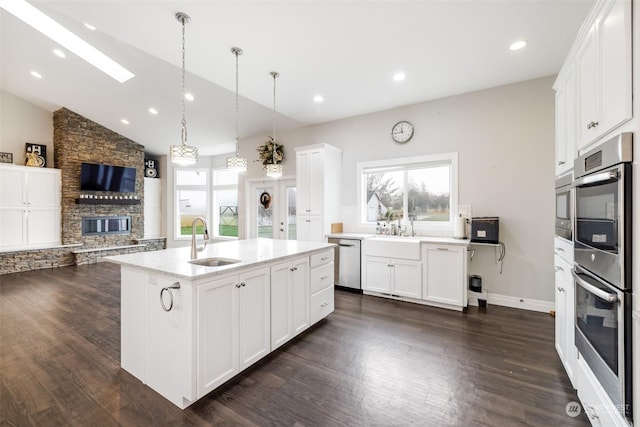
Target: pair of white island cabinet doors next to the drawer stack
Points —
{"points": [[289, 300]]}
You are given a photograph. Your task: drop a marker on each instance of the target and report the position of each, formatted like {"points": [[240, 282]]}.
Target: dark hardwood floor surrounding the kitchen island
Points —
{"points": [[373, 362]]}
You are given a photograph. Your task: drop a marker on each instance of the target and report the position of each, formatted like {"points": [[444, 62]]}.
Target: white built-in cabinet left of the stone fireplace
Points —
{"points": [[29, 206]]}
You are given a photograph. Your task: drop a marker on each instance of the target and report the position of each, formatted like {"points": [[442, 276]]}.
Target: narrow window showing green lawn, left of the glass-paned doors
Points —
{"points": [[225, 203]]}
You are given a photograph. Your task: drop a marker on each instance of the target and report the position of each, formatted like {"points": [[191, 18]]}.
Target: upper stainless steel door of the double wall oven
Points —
{"points": [[602, 213]]}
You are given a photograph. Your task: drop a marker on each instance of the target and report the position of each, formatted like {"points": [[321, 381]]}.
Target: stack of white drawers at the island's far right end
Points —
{"points": [[322, 279]]}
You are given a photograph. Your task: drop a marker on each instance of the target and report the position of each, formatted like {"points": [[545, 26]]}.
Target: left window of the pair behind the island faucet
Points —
{"points": [[192, 190]]}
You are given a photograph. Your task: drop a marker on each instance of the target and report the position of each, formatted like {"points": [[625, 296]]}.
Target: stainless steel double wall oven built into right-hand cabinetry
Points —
{"points": [[602, 271]]}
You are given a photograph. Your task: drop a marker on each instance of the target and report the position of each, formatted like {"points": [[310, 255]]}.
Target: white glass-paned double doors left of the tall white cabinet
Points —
{"points": [[272, 209]]}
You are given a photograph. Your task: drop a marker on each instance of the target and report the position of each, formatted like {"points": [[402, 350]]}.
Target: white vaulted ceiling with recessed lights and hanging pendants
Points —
{"points": [[347, 51]]}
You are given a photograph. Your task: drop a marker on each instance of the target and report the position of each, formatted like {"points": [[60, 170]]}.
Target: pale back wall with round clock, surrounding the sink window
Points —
{"points": [[505, 139]]}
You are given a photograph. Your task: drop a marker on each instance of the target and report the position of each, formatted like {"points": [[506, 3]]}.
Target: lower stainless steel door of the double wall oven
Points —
{"points": [[603, 335]]}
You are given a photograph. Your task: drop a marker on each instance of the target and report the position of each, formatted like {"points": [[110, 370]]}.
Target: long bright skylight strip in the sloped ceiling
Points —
{"points": [[56, 32]]}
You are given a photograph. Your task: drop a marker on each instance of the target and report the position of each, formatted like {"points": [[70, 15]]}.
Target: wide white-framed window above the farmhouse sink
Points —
{"points": [[421, 189]]}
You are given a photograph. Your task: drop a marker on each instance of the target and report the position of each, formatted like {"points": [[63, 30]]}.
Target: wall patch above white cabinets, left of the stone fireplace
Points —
{"points": [[22, 122]]}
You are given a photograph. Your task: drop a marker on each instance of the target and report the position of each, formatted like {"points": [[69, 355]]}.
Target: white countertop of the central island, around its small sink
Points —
{"points": [[251, 253]]}
